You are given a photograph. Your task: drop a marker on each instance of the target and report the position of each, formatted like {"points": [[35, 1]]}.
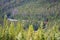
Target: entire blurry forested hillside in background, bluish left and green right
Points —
{"points": [[31, 9]]}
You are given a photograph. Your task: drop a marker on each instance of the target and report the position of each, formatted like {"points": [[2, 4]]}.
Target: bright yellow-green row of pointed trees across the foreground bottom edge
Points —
{"points": [[17, 32]]}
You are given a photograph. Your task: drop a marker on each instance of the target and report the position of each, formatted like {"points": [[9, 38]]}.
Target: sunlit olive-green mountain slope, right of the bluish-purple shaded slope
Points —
{"points": [[39, 9]]}
